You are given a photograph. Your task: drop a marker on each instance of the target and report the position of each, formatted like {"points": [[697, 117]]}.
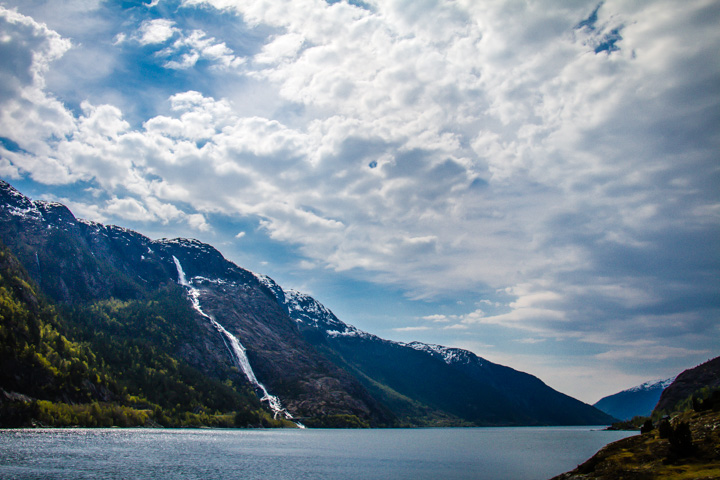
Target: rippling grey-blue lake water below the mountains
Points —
{"points": [[461, 453]]}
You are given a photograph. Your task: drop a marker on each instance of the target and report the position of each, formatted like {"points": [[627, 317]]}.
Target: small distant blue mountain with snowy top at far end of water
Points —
{"points": [[635, 401]]}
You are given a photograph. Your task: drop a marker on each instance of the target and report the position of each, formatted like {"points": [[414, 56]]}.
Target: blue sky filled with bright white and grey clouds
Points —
{"points": [[535, 181]]}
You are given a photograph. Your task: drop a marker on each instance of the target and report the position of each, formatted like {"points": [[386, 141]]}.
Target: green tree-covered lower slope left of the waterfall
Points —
{"points": [[109, 363]]}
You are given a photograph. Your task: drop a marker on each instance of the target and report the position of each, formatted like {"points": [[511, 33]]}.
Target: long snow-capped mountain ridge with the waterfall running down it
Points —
{"points": [[179, 332]]}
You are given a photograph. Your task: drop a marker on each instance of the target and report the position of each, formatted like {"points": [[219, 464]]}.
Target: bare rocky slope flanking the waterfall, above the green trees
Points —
{"points": [[81, 263]]}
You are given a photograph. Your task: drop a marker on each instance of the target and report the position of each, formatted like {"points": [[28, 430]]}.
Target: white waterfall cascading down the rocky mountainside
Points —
{"points": [[237, 351]]}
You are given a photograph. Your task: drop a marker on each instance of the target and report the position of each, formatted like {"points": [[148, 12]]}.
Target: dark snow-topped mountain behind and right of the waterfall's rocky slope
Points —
{"points": [[432, 384]]}
